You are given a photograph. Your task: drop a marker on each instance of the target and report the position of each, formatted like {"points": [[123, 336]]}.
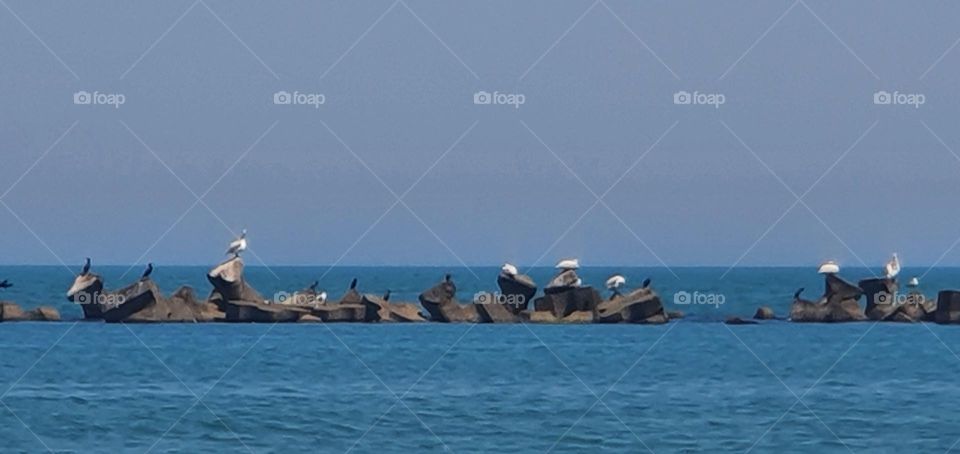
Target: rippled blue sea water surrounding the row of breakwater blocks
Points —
{"points": [[691, 385]]}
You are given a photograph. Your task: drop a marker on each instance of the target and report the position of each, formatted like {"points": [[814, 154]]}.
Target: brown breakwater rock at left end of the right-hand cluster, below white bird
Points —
{"points": [[839, 304]]}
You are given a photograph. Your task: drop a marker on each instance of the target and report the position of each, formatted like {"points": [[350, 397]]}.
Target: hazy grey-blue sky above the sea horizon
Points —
{"points": [[782, 156]]}
